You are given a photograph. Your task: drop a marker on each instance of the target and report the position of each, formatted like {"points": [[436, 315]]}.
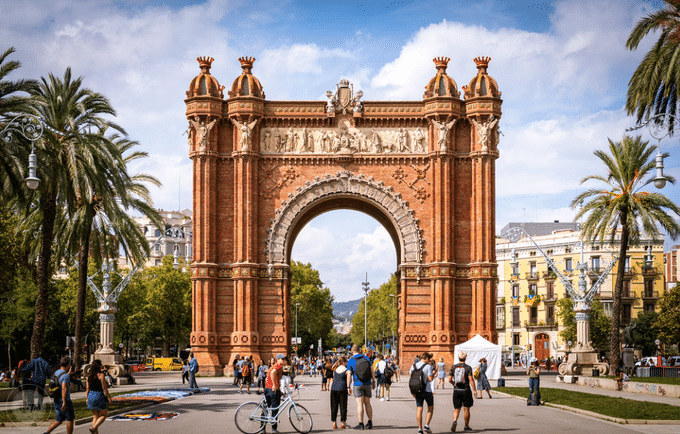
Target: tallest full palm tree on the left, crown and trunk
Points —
{"points": [[69, 154]]}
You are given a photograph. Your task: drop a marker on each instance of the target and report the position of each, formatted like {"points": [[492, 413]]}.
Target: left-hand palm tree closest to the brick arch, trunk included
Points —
{"points": [[100, 223]]}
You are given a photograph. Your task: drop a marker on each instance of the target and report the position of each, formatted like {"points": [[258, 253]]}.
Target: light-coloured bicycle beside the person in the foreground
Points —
{"points": [[252, 417]]}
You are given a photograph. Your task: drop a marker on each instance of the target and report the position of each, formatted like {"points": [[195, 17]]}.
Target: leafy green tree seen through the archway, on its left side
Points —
{"points": [[315, 312]]}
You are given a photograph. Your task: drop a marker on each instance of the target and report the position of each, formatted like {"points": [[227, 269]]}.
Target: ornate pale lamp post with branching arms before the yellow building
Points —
{"points": [[584, 358]]}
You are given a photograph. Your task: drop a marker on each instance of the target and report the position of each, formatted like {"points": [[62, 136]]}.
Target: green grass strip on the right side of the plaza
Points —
{"points": [[621, 408]]}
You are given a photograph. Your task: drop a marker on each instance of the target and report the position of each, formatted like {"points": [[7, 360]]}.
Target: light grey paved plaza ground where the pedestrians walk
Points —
{"points": [[213, 412]]}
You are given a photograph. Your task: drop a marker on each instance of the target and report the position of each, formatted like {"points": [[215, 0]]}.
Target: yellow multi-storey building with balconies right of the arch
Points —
{"points": [[528, 292]]}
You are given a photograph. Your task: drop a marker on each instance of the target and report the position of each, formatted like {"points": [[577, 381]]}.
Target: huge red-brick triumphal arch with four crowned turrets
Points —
{"points": [[262, 169]]}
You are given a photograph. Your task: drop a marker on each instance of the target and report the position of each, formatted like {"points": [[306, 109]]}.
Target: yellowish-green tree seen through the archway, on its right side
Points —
{"points": [[382, 316]]}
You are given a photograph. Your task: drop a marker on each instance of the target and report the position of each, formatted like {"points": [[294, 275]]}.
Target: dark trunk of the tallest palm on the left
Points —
{"points": [[44, 272]]}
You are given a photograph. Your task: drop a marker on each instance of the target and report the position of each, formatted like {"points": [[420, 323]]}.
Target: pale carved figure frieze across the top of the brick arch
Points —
{"points": [[343, 139]]}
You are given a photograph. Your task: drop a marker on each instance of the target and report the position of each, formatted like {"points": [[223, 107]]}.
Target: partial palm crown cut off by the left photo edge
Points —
{"points": [[12, 103]]}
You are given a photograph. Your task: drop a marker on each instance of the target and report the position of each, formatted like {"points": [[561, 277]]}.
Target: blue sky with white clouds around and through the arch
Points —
{"points": [[561, 65]]}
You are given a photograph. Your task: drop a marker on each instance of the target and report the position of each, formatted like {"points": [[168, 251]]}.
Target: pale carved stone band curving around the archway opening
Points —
{"points": [[375, 193]]}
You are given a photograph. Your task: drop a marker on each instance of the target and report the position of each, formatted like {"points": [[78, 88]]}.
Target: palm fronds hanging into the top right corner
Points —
{"points": [[655, 85]]}
